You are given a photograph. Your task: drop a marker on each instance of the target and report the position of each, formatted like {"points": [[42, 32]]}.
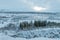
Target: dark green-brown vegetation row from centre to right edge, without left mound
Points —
{"points": [[42, 24]]}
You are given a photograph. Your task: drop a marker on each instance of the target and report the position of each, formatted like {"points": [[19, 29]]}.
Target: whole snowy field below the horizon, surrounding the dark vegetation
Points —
{"points": [[12, 33]]}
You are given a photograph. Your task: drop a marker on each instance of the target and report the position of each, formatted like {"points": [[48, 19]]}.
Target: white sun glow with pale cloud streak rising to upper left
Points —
{"points": [[34, 6]]}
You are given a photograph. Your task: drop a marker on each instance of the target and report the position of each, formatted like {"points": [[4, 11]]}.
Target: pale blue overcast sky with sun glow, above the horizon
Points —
{"points": [[31, 5]]}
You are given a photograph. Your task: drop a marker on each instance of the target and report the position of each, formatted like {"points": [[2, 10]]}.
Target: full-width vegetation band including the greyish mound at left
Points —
{"points": [[30, 25]]}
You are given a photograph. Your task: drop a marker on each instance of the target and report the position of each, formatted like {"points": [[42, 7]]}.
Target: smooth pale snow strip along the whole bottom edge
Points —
{"points": [[5, 37]]}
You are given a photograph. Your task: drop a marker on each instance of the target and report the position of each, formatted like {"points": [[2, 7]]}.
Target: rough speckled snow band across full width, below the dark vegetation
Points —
{"points": [[41, 32]]}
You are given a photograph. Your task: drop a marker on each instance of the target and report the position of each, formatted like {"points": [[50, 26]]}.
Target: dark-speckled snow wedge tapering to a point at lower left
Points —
{"points": [[48, 33]]}
